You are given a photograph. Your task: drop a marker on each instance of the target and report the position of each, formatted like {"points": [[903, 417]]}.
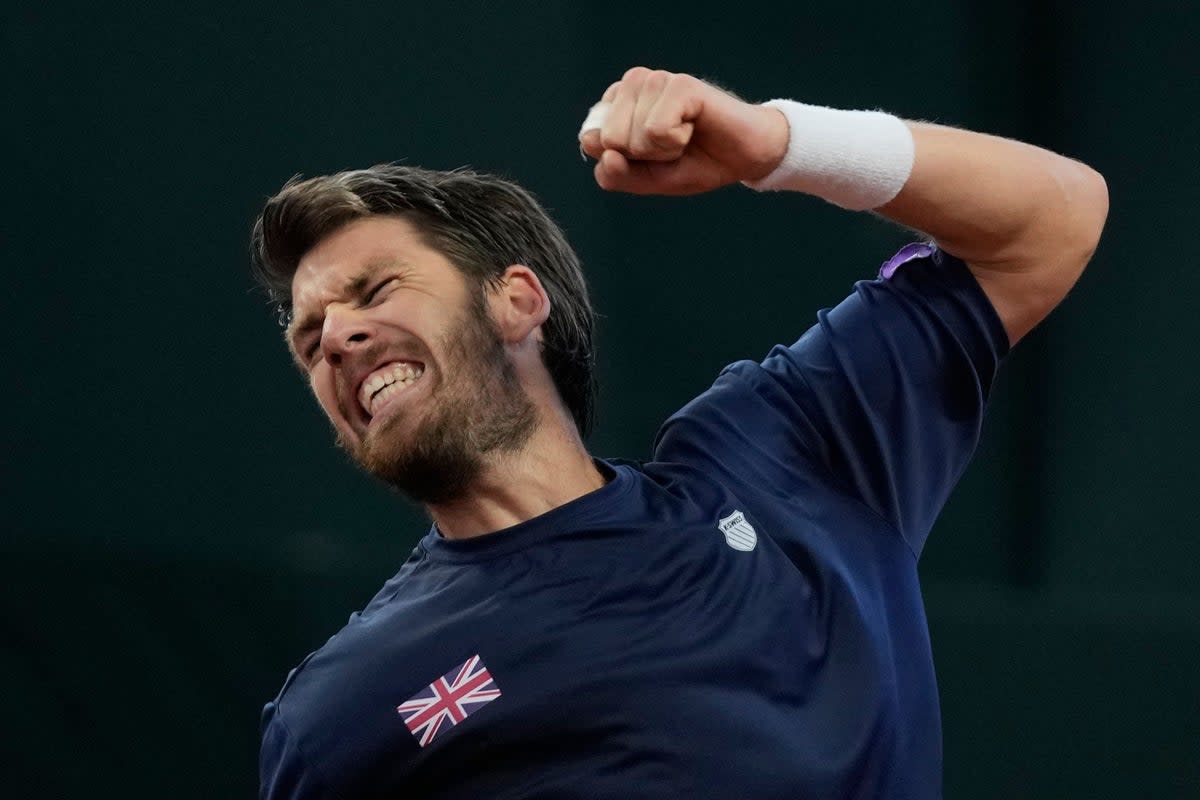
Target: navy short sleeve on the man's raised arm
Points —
{"points": [[885, 396]]}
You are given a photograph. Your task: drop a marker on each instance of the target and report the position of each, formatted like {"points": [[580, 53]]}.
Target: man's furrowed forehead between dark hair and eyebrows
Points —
{"points": [[329, 270]]}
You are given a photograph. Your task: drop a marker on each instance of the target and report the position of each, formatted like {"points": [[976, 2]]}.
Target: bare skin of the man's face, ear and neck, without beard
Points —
{"points": [[344, 333]]}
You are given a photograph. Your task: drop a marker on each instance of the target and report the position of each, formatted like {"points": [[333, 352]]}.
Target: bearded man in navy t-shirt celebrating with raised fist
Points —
{"points": [[740, 617]]}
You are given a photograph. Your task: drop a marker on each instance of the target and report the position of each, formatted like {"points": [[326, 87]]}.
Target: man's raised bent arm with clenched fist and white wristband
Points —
{"points": [[1025, 220]]}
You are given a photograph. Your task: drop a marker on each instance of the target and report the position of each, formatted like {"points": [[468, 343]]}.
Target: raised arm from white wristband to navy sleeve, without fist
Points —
{"points": [[1025, 220]]}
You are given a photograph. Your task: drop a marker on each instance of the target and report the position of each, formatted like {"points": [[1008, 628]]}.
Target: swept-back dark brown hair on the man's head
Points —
{"points": [[482, 224]]}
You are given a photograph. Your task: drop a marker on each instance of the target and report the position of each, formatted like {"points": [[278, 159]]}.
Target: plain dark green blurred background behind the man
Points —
{"points": [[179, 531]]}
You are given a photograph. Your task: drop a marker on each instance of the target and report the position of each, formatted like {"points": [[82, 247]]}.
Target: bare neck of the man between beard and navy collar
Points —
{"points": [[553, 470]]}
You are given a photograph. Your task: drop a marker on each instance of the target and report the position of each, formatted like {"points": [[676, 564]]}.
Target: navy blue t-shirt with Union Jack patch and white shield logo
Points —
{"points": [[739, 618]]}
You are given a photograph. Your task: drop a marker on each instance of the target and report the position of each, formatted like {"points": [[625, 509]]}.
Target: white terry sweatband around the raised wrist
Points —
{"points": [[857, 160]]}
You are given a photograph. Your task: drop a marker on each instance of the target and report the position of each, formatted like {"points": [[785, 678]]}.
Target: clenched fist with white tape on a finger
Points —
{"points": [[668, 134]]}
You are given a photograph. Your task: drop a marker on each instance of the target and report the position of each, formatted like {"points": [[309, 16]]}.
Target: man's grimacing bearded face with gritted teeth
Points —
{"points": [[405, 360]]}
